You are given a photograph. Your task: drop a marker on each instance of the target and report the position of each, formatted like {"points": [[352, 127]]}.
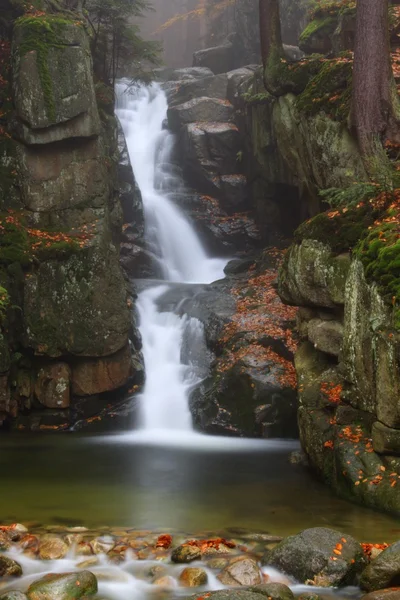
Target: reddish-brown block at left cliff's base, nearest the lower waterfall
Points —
{"points": [[90, 377]]}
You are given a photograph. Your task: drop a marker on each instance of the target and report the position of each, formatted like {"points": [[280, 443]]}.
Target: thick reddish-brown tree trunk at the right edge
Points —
{"points": [[375, 102]]}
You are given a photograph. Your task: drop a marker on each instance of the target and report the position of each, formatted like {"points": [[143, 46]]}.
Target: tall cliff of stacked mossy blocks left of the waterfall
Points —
{"points": [[61, 266]]}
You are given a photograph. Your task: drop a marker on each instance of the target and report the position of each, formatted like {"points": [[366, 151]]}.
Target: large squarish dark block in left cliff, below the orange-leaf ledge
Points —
{"points": [[77, 306]]}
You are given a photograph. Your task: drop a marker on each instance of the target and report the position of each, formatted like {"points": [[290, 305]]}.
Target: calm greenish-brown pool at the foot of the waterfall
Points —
{"points": [[74, 479]]}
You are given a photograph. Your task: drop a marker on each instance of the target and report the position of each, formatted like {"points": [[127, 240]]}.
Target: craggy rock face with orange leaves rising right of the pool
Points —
{"points": [[348, 371]]}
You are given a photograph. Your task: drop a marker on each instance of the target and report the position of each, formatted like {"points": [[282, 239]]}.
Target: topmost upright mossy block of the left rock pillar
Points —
{"points": [[53, 83]]}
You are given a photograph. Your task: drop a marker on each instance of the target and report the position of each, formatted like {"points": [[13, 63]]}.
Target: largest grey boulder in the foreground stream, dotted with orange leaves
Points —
{"points": [[309, 556]]}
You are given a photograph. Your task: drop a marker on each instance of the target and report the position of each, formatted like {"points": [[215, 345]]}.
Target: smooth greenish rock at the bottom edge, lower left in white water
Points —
{"points": [[64, 586]]}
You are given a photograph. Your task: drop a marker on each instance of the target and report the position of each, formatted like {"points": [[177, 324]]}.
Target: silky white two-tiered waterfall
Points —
{"points": [[172, 239]]}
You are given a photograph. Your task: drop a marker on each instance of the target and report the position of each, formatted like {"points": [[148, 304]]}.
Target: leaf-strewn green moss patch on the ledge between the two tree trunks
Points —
{"points": [[329, 90]]}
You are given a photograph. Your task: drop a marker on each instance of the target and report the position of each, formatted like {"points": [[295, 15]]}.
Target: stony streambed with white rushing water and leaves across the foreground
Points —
{"points": [[57, 563]]}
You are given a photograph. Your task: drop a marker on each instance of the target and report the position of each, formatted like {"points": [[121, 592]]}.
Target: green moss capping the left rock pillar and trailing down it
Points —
{"points": [[42, 35]]}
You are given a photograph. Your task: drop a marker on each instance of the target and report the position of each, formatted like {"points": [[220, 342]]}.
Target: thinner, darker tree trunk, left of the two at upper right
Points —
{"points": [[271, 46]]}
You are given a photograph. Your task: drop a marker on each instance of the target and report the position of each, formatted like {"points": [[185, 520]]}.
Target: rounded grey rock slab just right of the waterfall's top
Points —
{"points": [[200, 109]]}
